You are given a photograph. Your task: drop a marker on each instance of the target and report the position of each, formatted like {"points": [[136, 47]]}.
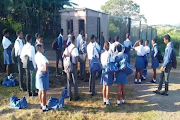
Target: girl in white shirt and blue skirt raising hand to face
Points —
{"points": [[139, 64]]}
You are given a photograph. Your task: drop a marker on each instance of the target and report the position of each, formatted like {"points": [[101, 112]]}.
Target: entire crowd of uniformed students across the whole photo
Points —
{"points": [[79, 51]]}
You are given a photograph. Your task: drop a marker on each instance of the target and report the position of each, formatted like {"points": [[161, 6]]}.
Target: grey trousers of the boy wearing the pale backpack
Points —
{"points": [[72, 79]]}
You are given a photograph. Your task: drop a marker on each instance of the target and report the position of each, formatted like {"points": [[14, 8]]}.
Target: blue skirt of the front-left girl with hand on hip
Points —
{"points": [[42, 80]]}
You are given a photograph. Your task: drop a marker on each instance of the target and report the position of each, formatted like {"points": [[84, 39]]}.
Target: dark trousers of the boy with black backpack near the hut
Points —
{"points": [[59, 57]]}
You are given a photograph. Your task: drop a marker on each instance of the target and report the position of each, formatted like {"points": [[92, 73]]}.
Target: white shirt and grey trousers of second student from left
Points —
{"points": [[18, 45]]}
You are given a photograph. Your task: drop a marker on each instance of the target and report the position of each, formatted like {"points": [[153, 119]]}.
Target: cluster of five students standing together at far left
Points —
{"points": [[33, 61]]}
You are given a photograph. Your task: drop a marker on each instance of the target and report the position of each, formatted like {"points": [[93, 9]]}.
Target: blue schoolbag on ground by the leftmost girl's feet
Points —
{"points": [[10, 82]]}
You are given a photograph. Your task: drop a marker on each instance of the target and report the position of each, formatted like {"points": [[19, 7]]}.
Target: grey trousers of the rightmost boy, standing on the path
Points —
{"points": [[164, 76]]}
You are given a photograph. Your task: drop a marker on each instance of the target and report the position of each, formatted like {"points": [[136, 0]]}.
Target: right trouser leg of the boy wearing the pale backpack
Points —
{"points": [[74, 78]]}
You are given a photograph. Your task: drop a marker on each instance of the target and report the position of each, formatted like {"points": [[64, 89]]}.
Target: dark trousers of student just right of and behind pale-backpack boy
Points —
{"points": [[82, 60]]}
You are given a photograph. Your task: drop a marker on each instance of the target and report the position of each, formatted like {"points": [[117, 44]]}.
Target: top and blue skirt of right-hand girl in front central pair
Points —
{"points": [[121, 77]]}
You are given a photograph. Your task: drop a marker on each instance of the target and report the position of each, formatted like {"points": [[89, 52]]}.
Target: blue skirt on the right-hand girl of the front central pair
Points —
{"points": [[121, 78]]}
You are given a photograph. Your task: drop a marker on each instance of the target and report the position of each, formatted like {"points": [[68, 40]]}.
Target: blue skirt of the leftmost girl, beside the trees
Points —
{"points": [[7, 56]]}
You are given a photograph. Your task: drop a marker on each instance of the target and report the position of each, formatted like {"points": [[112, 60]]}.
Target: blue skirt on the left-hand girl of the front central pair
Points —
{"points": [[107, 79]]}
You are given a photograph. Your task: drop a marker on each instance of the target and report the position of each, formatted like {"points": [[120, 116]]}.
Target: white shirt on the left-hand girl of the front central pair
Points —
{"points": [[104, 58]]}
